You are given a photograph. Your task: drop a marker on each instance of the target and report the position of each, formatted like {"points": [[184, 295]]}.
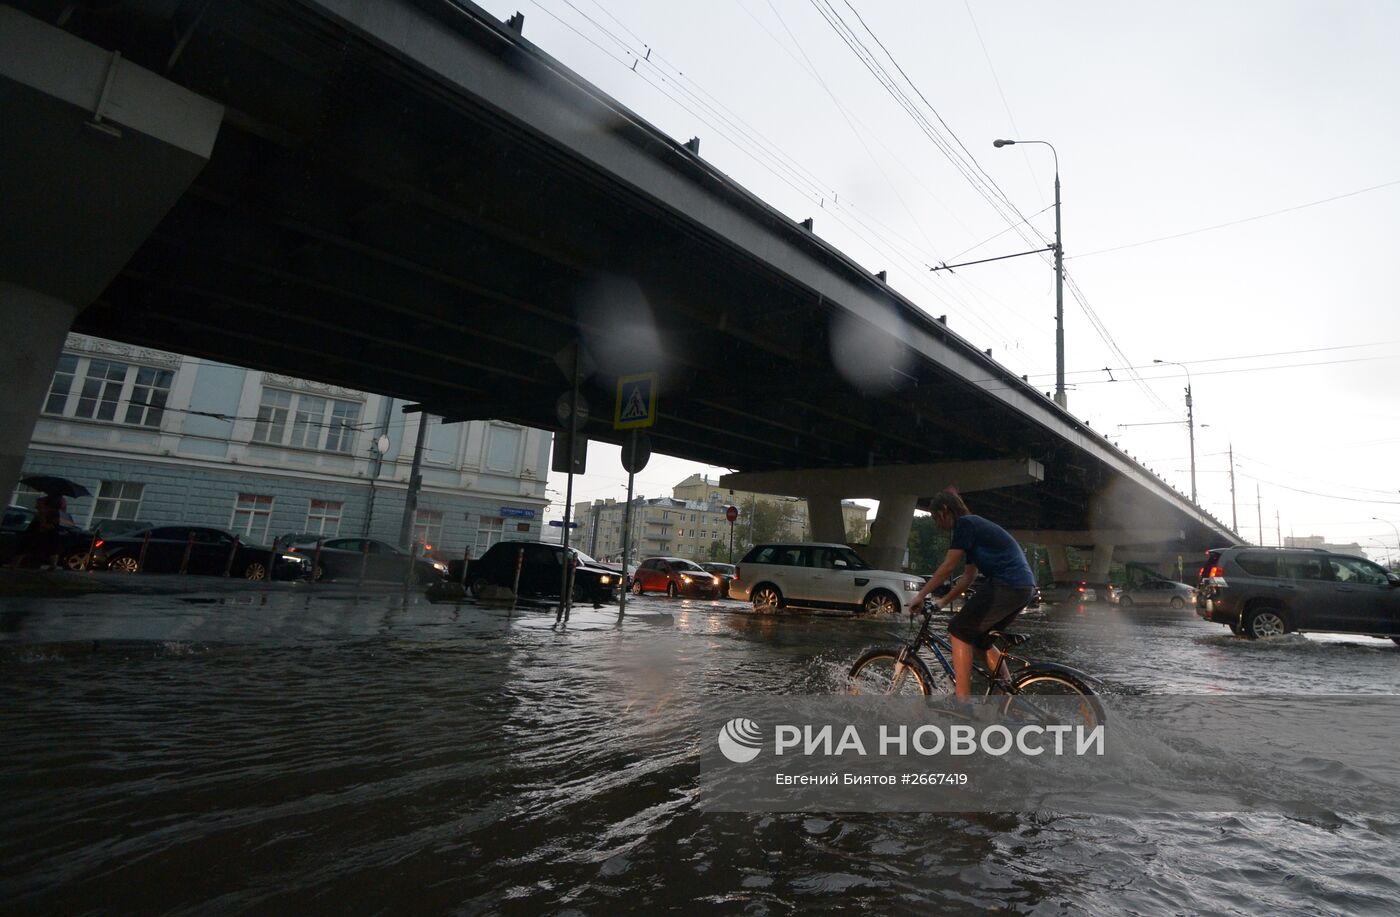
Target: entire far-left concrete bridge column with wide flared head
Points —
{"points": [[96, 153]]}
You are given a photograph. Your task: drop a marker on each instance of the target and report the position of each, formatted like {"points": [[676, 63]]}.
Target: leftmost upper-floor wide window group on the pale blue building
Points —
{"points": [[107, 386]]}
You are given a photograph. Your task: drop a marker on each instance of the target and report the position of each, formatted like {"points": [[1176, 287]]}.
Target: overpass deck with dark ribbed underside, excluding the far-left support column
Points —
{"points": [[365, 220]]}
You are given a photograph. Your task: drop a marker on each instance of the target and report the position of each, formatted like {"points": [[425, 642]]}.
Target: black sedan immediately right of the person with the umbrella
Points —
{"points": [[209, 554]]}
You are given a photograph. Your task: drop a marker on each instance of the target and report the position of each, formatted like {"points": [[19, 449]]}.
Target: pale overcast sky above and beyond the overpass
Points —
{"points": [[1170, 121]]}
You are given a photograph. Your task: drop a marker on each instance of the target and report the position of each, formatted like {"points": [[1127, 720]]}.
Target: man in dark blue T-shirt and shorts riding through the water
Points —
{"points": [[978, 545]]}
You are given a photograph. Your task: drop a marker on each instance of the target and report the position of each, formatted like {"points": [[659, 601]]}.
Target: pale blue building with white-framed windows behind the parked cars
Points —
{"points": [[159, 437]]}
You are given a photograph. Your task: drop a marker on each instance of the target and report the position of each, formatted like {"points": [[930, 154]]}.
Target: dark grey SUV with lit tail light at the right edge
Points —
{"points": [[1270, 591]]}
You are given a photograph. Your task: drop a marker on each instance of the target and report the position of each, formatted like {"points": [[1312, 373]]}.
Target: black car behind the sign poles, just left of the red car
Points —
{"points": [[541, 572]]}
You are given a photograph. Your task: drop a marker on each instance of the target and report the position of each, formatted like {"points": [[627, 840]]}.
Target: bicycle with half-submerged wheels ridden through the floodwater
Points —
{"points": [[902, 671]]}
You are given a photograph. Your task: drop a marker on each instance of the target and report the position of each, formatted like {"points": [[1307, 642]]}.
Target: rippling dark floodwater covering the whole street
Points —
{"points": [[296, 752]]}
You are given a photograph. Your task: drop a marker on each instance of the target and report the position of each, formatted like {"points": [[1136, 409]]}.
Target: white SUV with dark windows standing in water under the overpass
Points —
{"points": [[820, 576]]}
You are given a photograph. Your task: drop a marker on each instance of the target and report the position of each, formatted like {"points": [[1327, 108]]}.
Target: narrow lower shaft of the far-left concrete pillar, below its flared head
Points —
{"points": [[38, 325]]}
